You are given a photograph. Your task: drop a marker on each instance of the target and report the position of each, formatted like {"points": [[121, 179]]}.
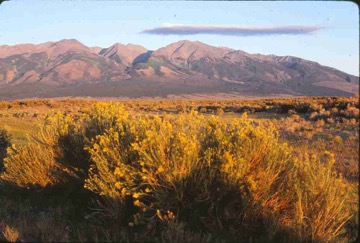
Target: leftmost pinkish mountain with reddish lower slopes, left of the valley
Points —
{"points": [[56, 63]]}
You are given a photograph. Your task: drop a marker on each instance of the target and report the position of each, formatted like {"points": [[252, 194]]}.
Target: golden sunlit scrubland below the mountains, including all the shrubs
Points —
{"points": [[269, 170]]}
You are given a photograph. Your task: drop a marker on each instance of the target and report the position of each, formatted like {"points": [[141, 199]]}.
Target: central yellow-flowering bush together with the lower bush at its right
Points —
{"points": [[216, 177]]}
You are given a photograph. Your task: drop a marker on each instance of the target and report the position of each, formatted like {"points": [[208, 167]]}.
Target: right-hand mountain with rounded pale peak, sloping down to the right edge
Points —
{"points": [[240, 67]]}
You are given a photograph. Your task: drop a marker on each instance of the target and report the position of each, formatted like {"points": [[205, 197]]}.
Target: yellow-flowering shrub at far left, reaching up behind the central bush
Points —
{"points": [[56, 154]]}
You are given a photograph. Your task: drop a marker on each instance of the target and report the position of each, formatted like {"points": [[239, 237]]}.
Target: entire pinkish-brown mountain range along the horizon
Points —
{"points": [[69, 68]]}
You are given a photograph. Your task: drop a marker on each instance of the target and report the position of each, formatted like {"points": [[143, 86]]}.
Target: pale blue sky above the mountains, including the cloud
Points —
{"points": [[320, 31]]}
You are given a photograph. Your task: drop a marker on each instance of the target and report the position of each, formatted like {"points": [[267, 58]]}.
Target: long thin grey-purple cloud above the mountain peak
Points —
{"points": [[180, 29]]}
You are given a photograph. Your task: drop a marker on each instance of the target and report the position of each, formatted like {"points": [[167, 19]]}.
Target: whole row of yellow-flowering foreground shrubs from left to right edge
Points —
{"points": [[205, 177]]}
